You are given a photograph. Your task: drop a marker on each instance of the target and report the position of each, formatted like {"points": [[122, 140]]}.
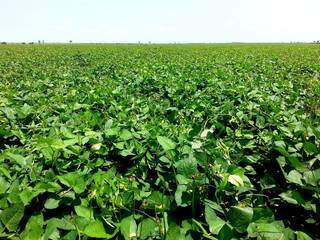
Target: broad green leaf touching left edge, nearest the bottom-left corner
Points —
{"points": [[11, 216]]}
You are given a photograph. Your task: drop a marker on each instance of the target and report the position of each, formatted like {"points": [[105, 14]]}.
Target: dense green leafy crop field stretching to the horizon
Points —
{"points": [[176, 142]]}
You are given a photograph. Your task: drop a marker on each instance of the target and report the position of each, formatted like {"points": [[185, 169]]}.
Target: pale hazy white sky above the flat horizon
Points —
{"points": [[160, 20]]}
